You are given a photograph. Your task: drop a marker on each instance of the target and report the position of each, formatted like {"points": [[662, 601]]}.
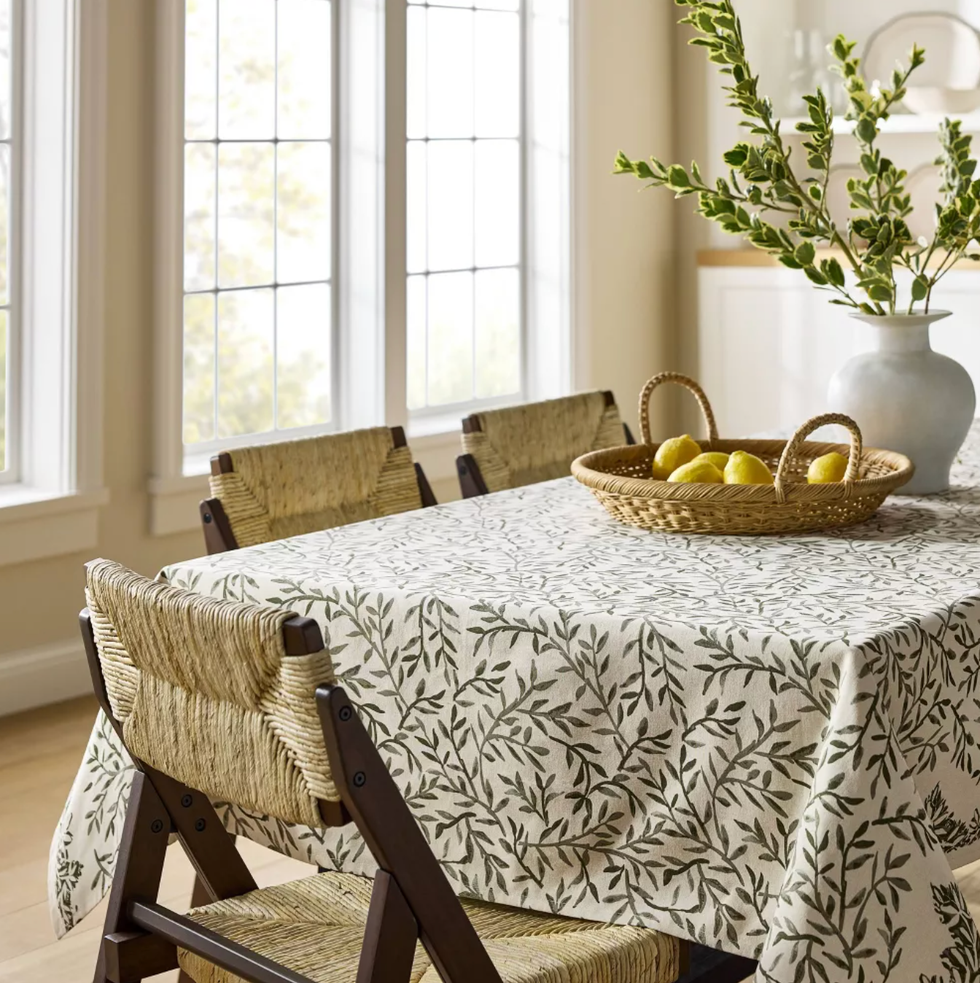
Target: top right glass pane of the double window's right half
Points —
{"points": [[498, 74]]}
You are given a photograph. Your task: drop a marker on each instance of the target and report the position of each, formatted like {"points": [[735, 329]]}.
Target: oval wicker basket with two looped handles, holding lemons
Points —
{"points": [[620, 478]]}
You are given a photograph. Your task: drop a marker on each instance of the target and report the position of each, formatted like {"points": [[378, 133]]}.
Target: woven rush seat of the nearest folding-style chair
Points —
{"points": [[315, 926]]}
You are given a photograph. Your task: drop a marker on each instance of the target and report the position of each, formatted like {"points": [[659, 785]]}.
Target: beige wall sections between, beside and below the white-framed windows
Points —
{"points": [[624, 261]]}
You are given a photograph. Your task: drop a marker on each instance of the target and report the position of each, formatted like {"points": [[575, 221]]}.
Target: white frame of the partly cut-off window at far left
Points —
{"points": [[50, 500]]}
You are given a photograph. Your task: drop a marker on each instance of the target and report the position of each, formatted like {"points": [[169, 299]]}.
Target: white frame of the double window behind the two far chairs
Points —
{"points": [[370, 275]]}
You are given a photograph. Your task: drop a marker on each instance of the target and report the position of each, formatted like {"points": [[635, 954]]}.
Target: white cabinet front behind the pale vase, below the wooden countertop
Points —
{"points": [[769, 342]]}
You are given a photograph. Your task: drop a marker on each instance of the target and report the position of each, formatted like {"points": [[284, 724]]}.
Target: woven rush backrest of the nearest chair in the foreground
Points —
{"points": [[205, 693]]}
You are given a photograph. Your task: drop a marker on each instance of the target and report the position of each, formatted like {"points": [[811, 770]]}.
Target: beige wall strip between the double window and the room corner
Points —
{"points": [[624, 240]]}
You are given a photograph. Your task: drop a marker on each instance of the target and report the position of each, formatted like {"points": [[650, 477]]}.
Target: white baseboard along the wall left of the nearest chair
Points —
{"points": [[48, 674]]}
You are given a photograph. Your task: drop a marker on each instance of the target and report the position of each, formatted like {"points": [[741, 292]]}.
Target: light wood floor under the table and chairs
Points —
{"points": [[39, 755]]}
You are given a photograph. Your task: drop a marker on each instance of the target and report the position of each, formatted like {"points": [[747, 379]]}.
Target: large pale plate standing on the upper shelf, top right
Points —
{"points": [[952, 49]]}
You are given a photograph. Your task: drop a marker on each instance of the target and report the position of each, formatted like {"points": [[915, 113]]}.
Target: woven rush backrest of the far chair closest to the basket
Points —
{"points": [[522, 445]]}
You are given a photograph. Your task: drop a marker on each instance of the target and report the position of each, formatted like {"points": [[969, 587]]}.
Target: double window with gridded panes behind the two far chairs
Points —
{"points": [[363, 218]]}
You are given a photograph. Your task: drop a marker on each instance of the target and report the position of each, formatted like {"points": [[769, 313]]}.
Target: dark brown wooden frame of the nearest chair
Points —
{"points": [[411, 899]]}
